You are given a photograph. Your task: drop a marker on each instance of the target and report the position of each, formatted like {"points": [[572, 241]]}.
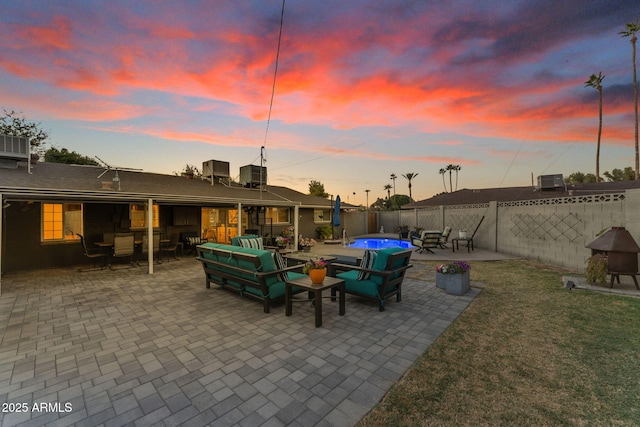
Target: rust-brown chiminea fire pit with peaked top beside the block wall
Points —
{"points": [[621, 251]]}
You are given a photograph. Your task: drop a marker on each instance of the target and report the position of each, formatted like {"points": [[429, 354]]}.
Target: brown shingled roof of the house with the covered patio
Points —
{"points": [[78, 182]]}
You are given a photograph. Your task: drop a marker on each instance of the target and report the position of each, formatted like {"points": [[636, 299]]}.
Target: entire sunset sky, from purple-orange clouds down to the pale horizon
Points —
{"points": [[364, 88]]}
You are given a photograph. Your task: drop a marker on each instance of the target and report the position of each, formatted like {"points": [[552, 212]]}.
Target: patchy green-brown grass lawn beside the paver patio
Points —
{"points": [[526, 352]]}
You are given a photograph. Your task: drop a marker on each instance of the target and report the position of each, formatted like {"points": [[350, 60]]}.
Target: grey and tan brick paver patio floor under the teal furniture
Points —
{"points": [[124, 347]]}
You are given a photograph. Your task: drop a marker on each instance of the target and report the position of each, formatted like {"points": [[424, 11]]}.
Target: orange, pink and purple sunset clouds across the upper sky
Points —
{"points": [[487, 72]]}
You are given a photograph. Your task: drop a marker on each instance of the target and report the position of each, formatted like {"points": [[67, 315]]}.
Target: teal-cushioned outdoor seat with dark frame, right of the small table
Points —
{"points": [[379, 275]]}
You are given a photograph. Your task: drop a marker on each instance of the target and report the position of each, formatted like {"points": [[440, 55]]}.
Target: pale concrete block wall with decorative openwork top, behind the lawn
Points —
{"points": [[554, 230]]}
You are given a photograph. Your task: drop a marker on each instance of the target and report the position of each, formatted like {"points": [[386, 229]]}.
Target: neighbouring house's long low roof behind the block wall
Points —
{"points": [[508, 194]]}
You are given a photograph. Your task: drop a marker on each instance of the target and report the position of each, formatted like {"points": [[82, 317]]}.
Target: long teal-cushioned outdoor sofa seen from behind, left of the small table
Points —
{"points": [[254, 273]]}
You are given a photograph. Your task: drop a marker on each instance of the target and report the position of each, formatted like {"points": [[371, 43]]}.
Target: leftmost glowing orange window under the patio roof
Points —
{"points": [[61, 221]]}
